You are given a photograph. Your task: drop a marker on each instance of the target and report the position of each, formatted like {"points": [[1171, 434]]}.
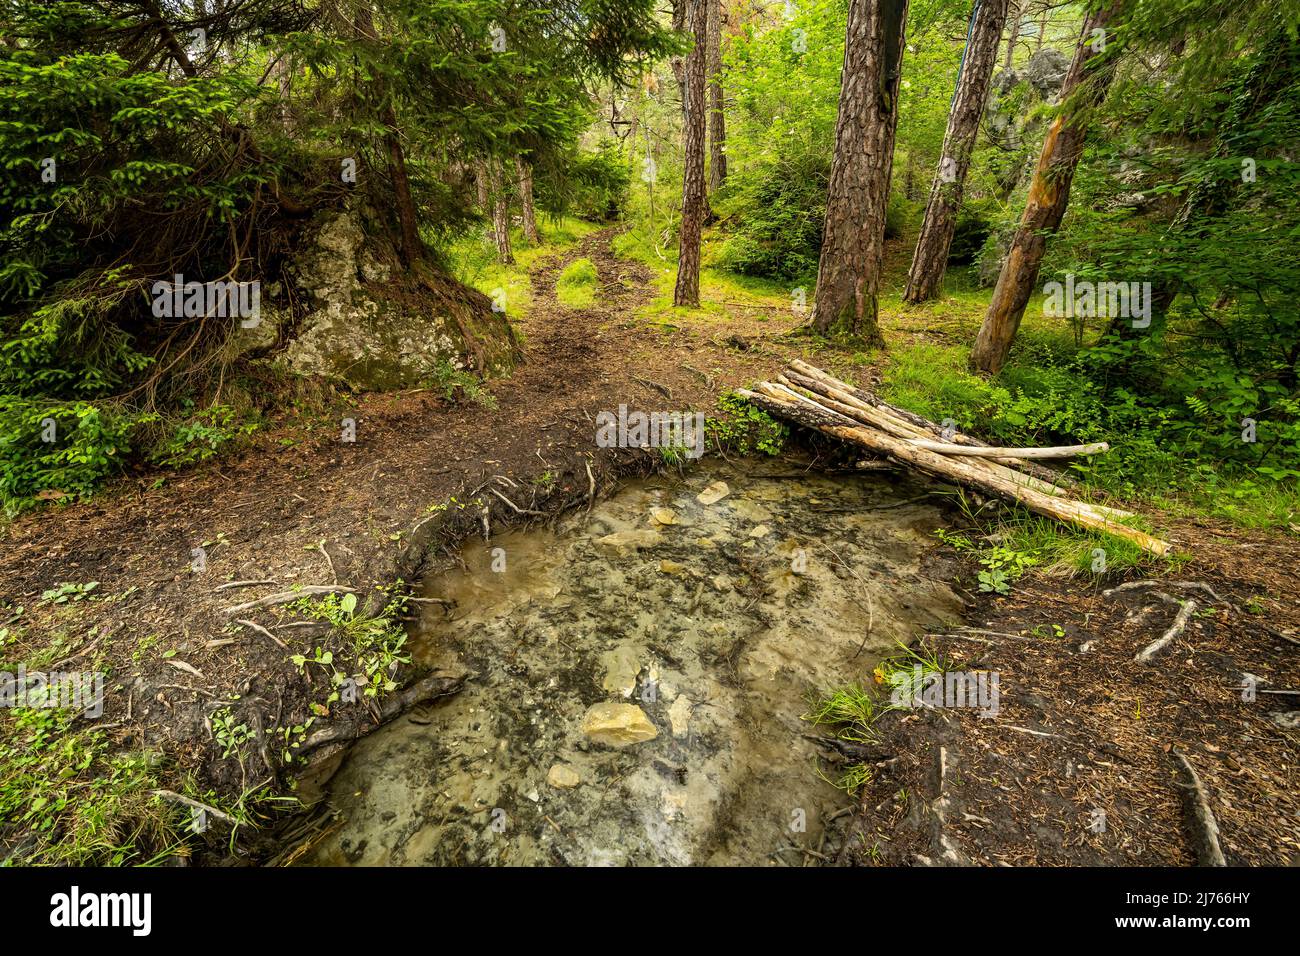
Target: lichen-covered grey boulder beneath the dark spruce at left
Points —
{"points": [[363, 318]]}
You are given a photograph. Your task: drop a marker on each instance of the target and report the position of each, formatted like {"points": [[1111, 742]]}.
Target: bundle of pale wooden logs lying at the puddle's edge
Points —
{"points": [[811, 397]]}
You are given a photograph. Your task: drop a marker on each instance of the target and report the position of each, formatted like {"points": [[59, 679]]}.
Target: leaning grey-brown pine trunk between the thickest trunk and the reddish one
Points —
{"points": [[926, 278]]}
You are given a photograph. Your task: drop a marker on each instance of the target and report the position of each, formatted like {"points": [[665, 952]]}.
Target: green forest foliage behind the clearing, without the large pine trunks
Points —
{"points": [[119, 174]]}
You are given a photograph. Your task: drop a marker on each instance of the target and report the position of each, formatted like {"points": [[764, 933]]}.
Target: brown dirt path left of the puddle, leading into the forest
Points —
{"points": [[326, 512]]}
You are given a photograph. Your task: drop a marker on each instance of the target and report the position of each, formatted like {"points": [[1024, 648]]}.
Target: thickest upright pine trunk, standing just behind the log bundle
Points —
{"points": [[853, 241]]}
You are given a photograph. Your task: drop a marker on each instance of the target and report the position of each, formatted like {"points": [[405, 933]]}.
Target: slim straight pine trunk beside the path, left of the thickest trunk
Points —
{"points": [[687, 292]]}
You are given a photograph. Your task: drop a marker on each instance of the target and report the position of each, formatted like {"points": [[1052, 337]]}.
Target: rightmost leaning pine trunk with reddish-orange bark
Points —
{"points": [[1047, 201]]}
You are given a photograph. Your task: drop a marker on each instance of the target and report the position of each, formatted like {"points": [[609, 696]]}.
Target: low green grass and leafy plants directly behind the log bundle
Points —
{"points": [[1182, 457]]}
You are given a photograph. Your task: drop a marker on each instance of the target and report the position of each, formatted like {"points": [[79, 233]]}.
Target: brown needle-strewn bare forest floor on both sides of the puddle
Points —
{"points": [[1080, 732]]}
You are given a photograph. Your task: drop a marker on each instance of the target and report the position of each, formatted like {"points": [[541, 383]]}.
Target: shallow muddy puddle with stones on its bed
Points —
{"points": [[639, 677]]}
